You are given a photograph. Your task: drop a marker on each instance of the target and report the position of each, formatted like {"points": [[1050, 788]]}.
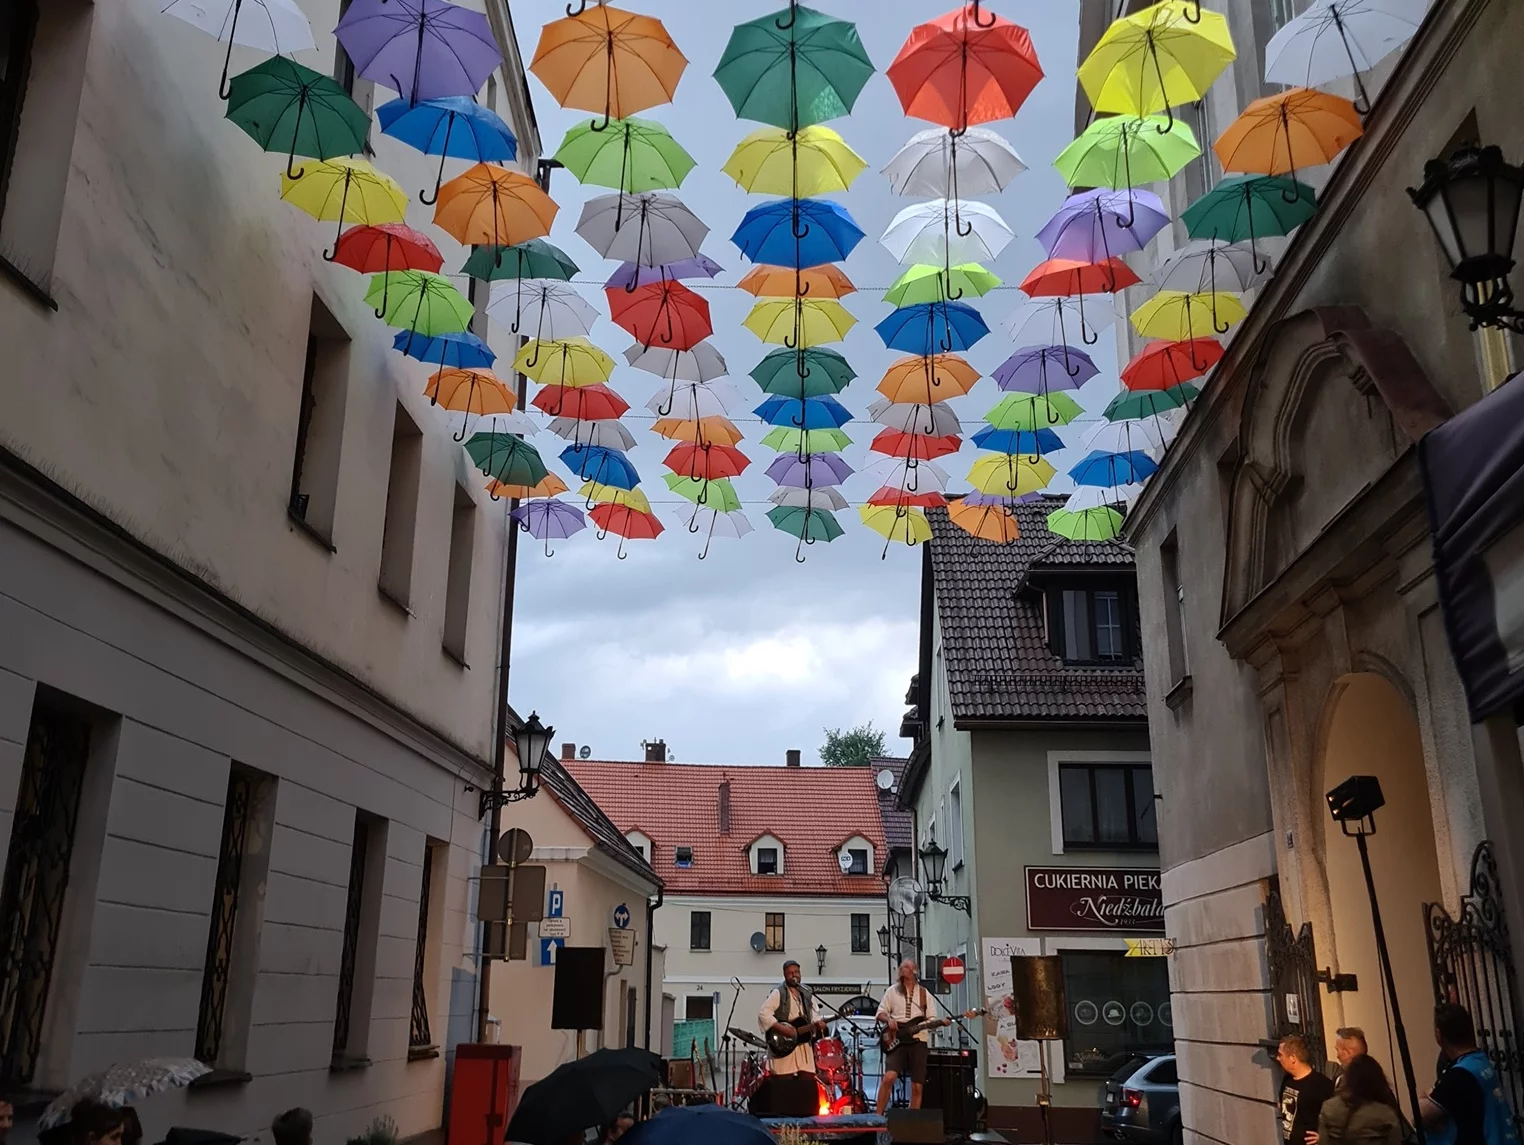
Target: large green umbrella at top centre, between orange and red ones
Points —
{"points": [[795, 68]]}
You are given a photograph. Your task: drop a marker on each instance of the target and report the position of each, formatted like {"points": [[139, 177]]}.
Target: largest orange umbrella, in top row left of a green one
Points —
{"points": [[610, 62]]}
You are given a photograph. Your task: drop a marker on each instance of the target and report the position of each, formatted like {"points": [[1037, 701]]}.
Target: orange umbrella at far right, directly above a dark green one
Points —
{"points": [[1281, 133]]}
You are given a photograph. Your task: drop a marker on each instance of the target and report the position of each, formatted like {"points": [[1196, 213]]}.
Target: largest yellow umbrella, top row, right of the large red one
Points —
{"points": [[1159, 59]]}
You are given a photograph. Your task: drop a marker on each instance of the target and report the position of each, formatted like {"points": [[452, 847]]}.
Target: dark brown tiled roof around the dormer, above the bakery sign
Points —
{"points": [[999, 667]]}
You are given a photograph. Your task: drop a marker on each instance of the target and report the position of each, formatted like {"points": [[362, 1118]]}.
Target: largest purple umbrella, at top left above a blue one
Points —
{"points": [[423, 50]]}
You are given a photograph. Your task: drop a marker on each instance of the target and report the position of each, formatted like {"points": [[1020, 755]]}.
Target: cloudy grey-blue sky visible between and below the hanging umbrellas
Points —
{"points": [[746, 655]]}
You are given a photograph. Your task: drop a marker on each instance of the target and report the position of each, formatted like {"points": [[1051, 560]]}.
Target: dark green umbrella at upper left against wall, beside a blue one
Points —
{"points": [[293, 109]]}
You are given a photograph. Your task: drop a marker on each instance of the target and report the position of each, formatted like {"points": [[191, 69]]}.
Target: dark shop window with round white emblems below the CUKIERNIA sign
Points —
{"points": [[1119, 1007]]}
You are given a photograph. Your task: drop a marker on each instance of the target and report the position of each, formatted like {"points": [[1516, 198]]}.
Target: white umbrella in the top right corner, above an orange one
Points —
{"points": [[1337, 39]]}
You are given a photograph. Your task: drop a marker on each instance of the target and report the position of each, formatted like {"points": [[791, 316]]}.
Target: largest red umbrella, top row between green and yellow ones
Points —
{"points": [[965, 68]]}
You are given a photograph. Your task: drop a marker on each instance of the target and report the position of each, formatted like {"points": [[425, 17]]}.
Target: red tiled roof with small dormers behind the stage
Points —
{"points": [[813, 810]]}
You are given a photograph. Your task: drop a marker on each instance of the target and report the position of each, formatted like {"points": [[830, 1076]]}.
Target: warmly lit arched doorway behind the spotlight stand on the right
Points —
{"points": [[1374, 731]]}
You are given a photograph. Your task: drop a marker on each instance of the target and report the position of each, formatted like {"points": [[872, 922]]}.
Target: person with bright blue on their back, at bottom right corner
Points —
{"points": [[1467, 1105]]}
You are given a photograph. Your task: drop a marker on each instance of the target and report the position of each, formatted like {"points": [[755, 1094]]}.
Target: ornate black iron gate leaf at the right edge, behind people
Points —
{"points": [[1473, 964]]}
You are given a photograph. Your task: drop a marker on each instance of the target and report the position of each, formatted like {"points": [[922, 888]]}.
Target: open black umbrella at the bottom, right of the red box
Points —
{"points": [[583, 1094]]}
